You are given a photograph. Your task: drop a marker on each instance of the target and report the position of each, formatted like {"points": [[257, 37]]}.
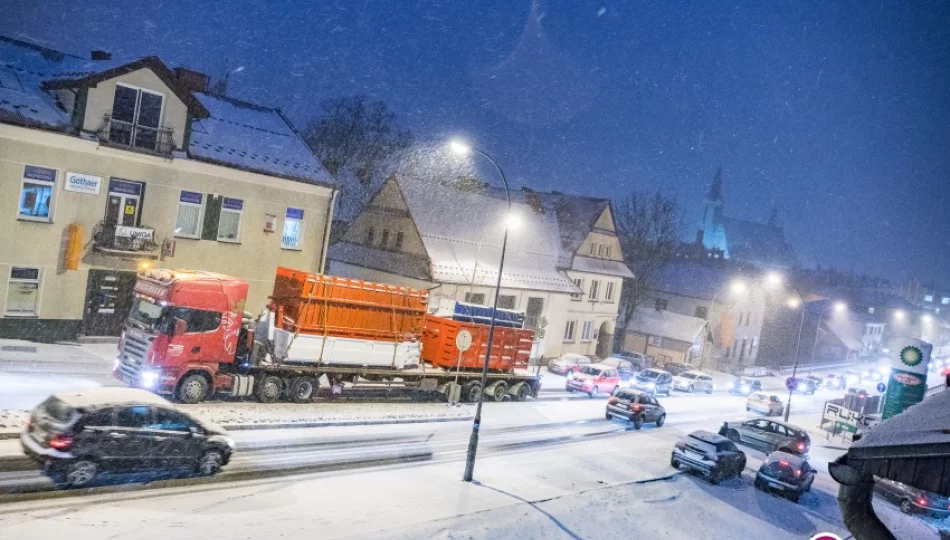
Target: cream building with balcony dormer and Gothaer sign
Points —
{"points": [[115, 163]]}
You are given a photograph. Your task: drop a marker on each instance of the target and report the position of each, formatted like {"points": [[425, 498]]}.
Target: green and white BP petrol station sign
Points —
{"points": [[908, 382]]}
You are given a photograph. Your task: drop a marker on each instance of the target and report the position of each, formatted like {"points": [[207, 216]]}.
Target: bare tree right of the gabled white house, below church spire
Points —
{"points": [[649, 227]]}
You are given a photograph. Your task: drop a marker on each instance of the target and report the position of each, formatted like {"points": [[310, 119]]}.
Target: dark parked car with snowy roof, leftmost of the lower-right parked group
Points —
{"points": [[714, 456]]}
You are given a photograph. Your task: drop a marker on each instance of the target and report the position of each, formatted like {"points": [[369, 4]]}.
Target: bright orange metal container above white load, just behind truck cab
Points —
{"points": [[319, 304]]}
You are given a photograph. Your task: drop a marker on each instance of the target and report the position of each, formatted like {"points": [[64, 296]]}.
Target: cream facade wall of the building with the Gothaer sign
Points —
{"points": [[42, 244]]}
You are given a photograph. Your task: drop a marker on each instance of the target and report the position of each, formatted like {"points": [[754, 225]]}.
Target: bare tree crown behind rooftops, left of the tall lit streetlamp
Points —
{"points": [[356, 135]]}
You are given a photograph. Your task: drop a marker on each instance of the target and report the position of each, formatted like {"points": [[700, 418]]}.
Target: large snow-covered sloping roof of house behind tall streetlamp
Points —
{"points": [[462, 233]]}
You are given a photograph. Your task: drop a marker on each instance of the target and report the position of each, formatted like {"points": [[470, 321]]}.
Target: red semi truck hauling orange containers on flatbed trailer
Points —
{"points": [[188, 336]]}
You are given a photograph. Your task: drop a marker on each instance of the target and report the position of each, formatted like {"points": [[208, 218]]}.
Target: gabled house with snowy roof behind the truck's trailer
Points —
{"points": [[563, 265]]}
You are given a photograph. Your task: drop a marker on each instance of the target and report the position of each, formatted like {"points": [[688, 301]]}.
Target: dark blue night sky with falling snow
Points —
{"points": [[839, 112]]}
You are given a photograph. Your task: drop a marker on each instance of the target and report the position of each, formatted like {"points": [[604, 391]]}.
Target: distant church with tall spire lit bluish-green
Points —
{"points": [[760, 244]]}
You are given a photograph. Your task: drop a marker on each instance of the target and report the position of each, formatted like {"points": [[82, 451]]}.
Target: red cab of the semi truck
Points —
{"points": [[182, 327]]}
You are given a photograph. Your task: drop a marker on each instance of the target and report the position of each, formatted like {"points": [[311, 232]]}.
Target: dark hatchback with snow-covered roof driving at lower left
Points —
{"points": [[75, 436]]}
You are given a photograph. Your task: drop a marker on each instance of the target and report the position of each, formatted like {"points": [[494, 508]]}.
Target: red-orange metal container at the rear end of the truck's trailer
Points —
{"points": [[511, 347]]}
